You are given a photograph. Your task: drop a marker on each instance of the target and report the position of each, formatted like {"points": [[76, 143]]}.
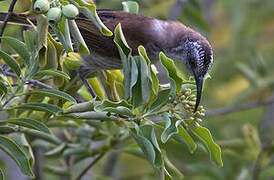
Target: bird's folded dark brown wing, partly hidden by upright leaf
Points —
{"points": [[135, 28]]}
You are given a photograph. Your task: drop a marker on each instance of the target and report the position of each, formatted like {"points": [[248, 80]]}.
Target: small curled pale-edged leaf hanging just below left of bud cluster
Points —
{"points": [[171, 126]]}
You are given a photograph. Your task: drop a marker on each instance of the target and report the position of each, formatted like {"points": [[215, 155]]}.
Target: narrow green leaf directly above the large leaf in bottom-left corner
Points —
{"points": [[30, 123]]}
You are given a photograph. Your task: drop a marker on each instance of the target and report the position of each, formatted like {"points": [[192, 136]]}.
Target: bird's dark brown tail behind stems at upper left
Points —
{"points": [[17, 19]]}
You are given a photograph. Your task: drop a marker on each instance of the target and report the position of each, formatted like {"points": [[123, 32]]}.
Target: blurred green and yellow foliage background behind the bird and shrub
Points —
{"points": [[241, 33]]}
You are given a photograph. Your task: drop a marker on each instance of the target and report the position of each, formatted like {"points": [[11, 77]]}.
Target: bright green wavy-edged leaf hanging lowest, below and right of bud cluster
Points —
{"points": [[205, 137]]}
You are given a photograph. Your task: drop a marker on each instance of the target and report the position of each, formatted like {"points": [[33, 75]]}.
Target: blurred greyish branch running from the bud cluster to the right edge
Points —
{"points": [[242, 107]]}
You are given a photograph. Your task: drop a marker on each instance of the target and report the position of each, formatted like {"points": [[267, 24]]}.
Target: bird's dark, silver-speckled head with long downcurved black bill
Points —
{"points": [[196, 53]]}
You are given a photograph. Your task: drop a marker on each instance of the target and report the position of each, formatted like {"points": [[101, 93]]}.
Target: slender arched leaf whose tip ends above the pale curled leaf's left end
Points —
{"points": [[53, 93]]}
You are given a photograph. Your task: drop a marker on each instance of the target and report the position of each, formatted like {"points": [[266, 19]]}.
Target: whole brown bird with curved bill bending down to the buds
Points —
{"points": [[177, 41]]}
